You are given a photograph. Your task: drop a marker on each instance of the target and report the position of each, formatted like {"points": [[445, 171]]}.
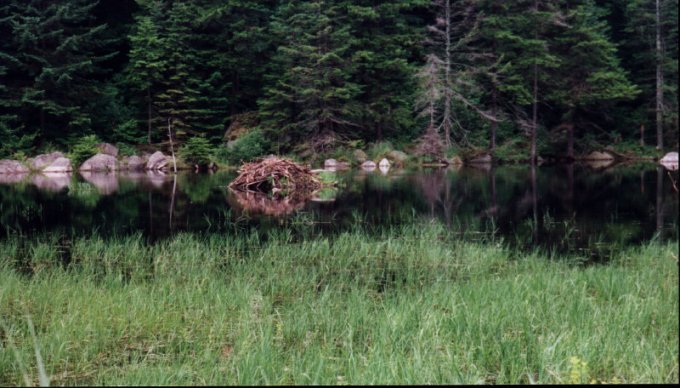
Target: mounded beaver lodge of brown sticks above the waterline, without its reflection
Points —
{"points": [[279, 177]]}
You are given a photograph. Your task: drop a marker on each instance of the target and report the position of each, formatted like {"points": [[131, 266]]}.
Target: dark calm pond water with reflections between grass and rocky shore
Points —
{"points": [[566, 208]]}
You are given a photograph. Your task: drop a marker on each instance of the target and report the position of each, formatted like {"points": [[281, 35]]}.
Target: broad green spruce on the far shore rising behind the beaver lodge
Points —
{"points": [[313, 95]]}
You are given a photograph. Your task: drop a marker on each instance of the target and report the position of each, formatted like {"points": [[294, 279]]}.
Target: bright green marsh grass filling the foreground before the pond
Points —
{"points": [[410, 306]]}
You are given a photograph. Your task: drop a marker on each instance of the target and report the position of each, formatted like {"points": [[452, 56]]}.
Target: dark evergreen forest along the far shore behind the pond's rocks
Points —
{"points": [[543, 77]]}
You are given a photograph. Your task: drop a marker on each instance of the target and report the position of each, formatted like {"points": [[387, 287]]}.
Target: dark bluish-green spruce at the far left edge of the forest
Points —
{"points": [[55, 56]]}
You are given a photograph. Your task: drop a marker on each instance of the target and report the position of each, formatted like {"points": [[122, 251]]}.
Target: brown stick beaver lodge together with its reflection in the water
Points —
{"points": [[274, 186]]}
